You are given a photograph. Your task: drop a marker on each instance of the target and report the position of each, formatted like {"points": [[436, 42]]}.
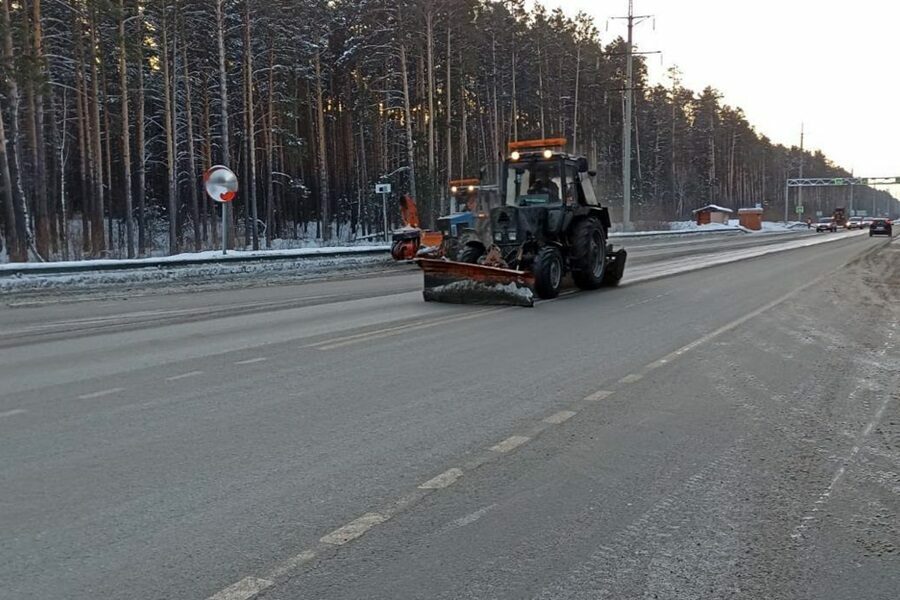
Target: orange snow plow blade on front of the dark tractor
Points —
{"points": [[465, 283]]}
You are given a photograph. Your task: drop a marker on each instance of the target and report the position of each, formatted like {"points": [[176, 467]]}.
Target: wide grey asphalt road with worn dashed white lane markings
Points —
{"points": [[726, 432]]}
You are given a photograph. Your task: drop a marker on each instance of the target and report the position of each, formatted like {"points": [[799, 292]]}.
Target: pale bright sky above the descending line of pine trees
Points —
{"points": [[832, 64]]}
